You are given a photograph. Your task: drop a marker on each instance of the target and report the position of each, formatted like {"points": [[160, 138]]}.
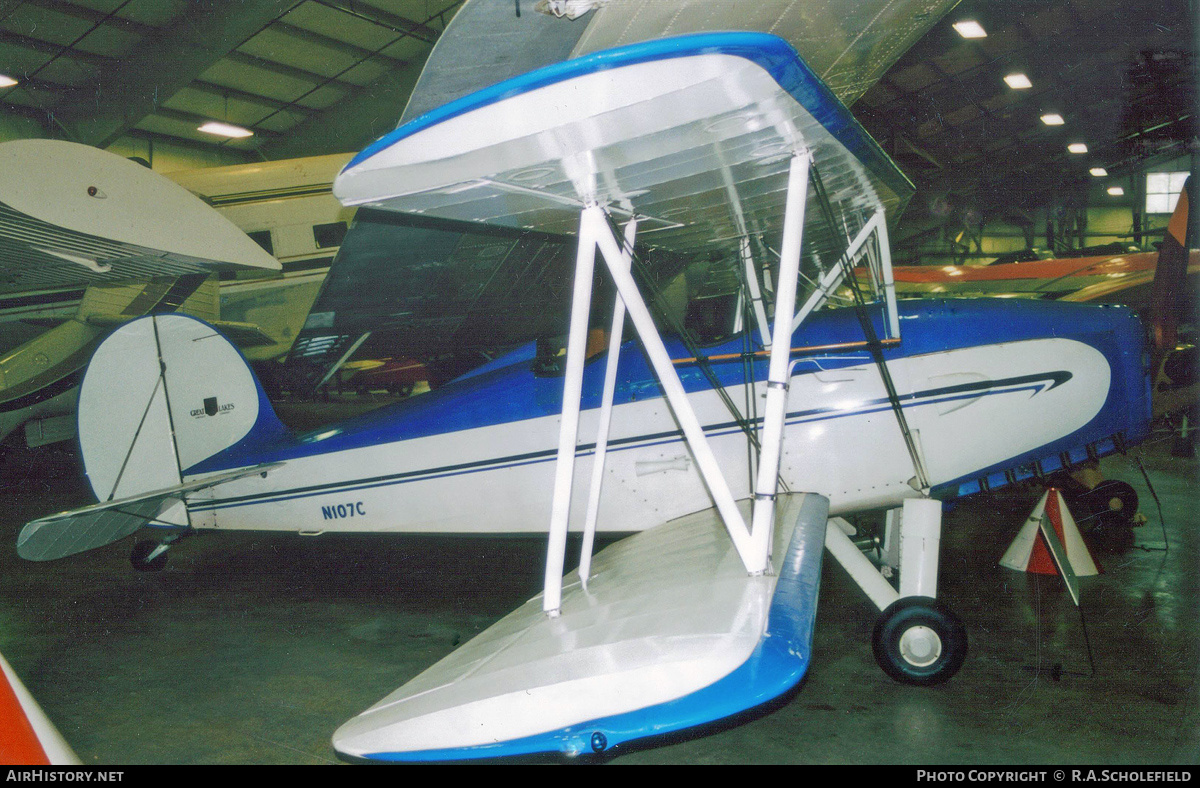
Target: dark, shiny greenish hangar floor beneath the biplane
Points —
{"points": [[254, 648]]}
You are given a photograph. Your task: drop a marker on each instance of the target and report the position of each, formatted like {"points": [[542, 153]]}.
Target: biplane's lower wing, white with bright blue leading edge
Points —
{"points": [[670, 634]]}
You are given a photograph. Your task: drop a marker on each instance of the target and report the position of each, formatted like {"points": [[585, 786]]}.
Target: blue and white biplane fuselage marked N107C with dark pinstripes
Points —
{"points": [[993, 392]]}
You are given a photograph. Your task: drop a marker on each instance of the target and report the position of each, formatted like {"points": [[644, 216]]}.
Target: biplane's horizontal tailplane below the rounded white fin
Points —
{"points": [[92, 527]]}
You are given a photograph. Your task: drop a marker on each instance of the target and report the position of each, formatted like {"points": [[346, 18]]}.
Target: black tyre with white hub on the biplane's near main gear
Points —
{"points": [[919, 641]]}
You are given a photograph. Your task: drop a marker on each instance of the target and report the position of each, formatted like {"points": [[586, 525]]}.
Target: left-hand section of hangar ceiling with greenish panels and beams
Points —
{"points": [[97, 70]]}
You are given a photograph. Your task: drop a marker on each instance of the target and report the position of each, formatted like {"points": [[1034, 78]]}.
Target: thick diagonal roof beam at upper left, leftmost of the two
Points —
{"points": [[202, 35]]}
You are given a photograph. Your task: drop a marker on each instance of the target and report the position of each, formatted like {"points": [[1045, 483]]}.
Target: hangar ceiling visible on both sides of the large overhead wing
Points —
{"points": [[327, 76]]}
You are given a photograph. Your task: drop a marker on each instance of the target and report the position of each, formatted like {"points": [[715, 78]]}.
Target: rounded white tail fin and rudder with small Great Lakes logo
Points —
{"points": [[161, 396]]}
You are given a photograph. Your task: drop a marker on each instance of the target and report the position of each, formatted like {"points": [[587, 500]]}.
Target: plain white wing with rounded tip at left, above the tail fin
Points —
{"points": [[73, 215]]}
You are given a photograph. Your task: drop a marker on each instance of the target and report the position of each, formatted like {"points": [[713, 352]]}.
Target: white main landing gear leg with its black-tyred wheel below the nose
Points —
{"points": [[917, 640]]}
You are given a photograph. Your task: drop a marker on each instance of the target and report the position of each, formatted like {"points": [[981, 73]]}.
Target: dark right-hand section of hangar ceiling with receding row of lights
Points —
{"points": [[1120, 74]]}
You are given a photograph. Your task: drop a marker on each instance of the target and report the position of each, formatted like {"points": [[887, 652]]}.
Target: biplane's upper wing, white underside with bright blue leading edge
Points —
{"points": [[693, 135]]}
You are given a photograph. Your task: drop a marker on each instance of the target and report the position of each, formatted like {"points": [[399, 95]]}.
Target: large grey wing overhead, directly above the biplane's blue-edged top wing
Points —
{"points": [[850, 46]]}
